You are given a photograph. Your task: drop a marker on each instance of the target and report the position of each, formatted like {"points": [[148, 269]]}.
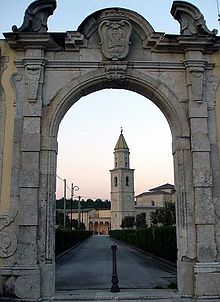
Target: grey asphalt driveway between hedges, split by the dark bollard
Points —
{"points": [[89, 266]]}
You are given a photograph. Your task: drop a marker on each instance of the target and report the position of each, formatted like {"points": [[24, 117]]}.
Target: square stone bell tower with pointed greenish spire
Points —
{"points": [[122, 184]]}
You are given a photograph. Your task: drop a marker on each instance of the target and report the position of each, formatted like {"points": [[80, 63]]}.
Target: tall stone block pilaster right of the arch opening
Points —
{"points": [[206, 249]]}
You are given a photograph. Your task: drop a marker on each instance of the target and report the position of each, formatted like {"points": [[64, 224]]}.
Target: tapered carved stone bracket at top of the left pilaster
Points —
{"points": [[32, 79]]}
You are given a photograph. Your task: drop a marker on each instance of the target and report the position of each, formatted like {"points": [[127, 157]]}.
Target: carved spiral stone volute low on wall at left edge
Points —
{"points": [[8, 238]]}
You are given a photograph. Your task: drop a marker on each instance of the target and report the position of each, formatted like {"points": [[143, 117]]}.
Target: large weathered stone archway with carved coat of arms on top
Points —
{"points": [[183, 88]]}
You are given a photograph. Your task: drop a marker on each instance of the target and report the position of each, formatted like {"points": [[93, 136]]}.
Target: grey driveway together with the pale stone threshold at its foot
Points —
{"points": [[84, 274]]}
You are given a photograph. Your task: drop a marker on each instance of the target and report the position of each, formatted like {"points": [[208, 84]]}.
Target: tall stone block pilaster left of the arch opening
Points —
{"points": [[29, 176]]}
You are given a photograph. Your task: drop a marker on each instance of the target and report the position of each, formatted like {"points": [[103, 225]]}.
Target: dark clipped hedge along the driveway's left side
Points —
{"points": [[65, 239]]}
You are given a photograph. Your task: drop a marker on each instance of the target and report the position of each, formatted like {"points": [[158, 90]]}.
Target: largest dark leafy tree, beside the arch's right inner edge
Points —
{"points": [[164, 216]]}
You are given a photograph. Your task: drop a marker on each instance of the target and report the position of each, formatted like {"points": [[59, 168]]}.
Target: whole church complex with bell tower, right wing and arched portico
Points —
{"points": [[123, 199]]}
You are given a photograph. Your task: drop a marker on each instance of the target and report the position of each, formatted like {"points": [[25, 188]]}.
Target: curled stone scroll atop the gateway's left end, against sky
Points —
{"points": [[36, 15]]}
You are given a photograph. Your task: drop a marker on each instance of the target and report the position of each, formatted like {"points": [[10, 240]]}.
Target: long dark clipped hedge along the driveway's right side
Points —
{"points": [[158, 240]]}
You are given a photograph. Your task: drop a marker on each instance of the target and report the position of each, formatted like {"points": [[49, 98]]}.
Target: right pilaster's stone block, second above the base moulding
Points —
{"points": [[204, 209]]}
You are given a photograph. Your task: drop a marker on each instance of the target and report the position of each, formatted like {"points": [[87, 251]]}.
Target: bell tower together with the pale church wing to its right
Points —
{"points": [[123, 199]]}
